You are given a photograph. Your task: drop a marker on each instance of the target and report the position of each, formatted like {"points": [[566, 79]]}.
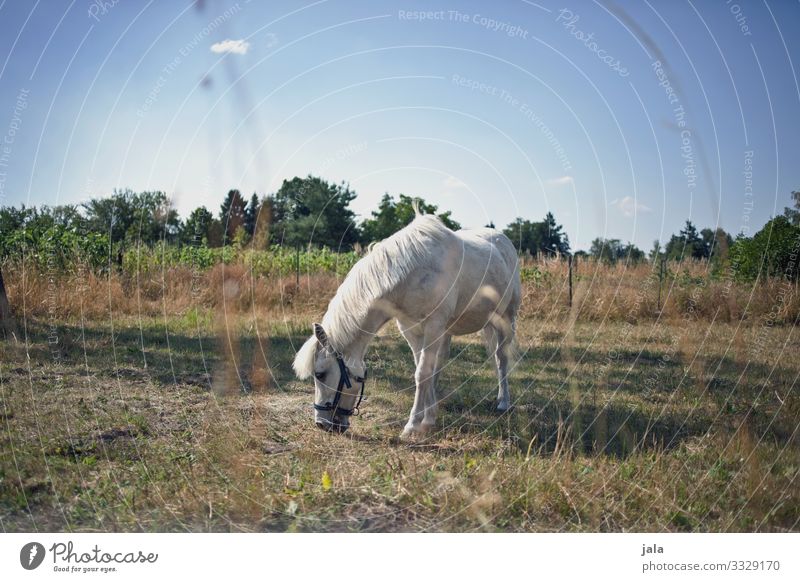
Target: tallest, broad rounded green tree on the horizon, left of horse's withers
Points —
{"points": [[310, 211]]}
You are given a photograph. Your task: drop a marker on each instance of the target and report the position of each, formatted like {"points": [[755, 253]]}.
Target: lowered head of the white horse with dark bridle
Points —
{"points": [[338, 383]]}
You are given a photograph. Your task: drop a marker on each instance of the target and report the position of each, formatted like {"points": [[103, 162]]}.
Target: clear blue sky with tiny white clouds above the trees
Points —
{"points": [[491, 110]]}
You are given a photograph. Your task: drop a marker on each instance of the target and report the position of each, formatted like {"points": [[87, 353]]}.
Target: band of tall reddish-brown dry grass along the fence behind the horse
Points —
{"points": [[600, 293]]}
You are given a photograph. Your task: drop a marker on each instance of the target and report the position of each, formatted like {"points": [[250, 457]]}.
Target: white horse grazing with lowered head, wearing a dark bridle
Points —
{"points": [[436, 283]]}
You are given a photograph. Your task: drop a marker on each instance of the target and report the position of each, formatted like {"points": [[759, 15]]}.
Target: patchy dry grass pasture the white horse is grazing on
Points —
{"points": [[144, 411]]}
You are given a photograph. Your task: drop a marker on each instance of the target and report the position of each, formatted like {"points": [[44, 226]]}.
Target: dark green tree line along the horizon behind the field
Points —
{"points": [[311, 212]]}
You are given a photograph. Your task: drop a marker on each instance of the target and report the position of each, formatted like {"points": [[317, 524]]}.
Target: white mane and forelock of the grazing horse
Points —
{"points": [[386, 266]]}
